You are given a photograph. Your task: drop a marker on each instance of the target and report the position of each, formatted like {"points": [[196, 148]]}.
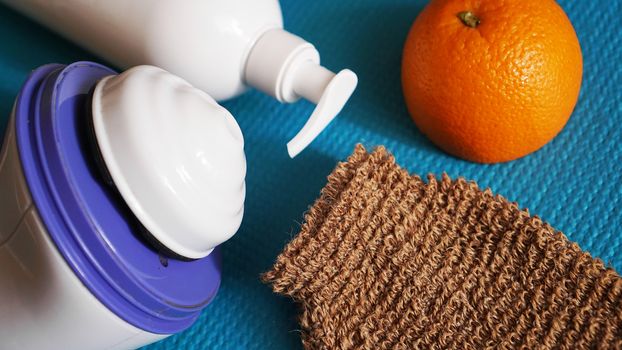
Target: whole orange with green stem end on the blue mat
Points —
{"points": [[491, 81]]}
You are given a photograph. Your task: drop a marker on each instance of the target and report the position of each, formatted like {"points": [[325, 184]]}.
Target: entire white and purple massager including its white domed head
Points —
{"points": [[109, 230]]}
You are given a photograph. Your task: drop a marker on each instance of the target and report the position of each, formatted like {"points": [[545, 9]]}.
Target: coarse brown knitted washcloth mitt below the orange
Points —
{"points": [[386, 260]]}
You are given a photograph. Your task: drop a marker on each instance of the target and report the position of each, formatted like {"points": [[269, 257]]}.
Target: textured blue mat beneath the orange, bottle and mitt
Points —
{"points": [[575, 182]]}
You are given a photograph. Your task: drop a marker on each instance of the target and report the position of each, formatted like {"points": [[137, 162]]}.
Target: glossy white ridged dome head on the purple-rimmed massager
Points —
{"points": [[175, 155]]}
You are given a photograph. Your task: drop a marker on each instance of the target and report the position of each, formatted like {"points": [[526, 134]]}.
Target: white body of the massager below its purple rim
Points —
{"points": [[43, 304]]}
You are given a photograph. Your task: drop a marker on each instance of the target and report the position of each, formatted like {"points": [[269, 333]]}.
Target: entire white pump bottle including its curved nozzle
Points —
{"points": [[219, 46]]}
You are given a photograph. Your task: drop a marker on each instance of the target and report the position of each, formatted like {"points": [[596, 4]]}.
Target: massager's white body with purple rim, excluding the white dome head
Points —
{"points": [[76, 269]]}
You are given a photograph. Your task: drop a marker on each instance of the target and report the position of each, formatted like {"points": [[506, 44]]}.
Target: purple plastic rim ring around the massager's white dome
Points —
{"points": [[92, 228]]}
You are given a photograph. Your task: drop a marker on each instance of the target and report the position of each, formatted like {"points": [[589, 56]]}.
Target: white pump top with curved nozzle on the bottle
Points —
{"points": [[287, 67]]}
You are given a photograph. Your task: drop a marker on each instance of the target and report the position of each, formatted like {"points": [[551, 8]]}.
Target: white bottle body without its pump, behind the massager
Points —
{"points": [[206, 42]]}
